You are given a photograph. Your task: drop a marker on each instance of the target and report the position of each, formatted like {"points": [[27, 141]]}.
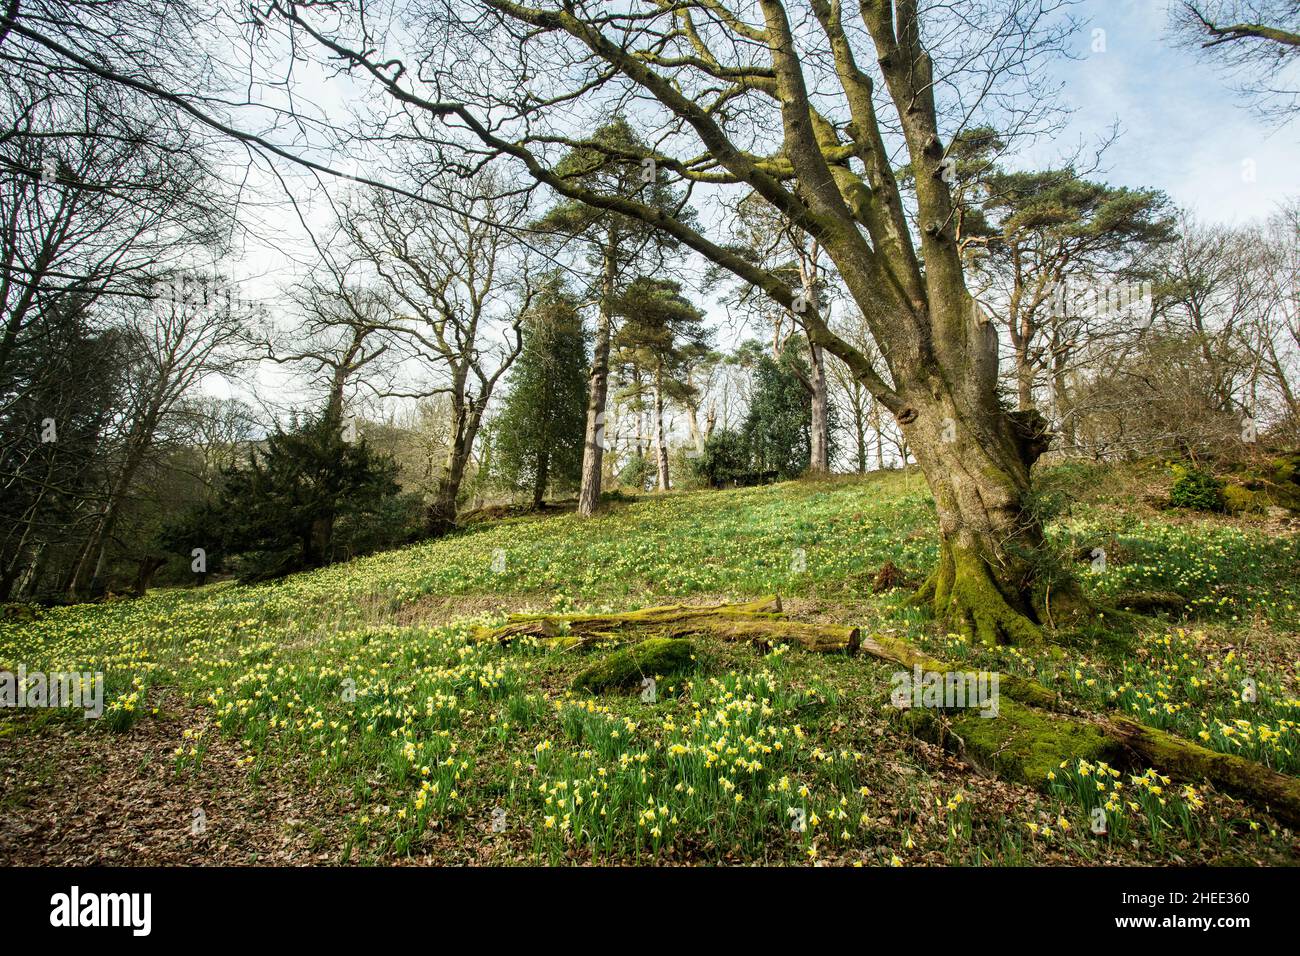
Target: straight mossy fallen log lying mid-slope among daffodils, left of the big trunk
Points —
{"points": [[760, 622]]}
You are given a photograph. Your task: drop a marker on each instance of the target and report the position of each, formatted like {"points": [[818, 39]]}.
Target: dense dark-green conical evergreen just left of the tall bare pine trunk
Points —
{"points": [[541, 427]]}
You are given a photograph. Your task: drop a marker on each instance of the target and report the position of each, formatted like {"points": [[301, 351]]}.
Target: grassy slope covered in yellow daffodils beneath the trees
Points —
{"points": [[440, 734]]}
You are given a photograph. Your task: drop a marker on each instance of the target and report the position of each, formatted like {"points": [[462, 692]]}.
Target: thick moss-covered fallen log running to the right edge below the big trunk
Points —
{"points": [[1035, 730]]}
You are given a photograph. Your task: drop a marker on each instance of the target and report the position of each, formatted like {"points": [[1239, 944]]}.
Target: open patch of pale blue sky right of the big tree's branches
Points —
{"points": [[1184, 128]]}
